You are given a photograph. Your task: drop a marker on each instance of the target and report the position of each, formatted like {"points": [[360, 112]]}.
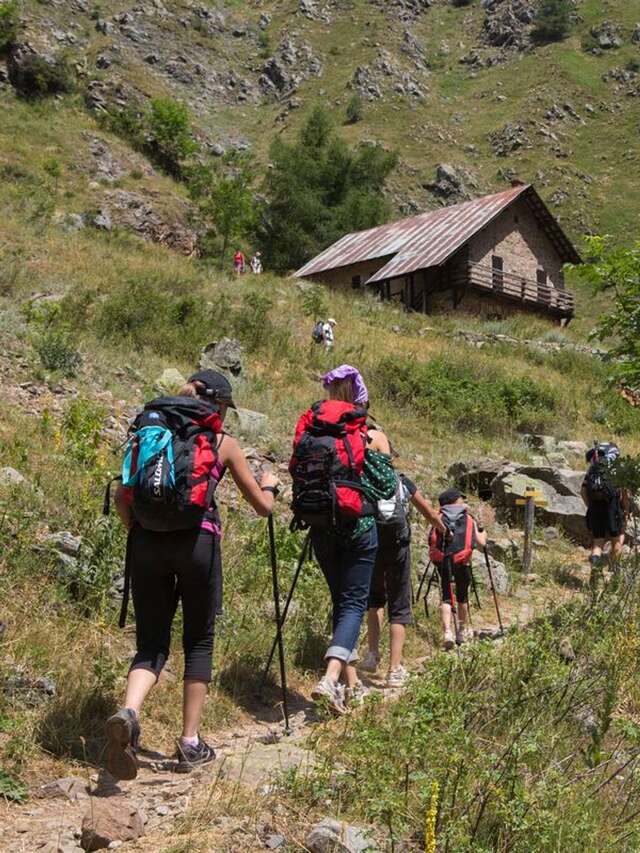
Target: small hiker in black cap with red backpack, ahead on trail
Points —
{"points": [[452, 555]]}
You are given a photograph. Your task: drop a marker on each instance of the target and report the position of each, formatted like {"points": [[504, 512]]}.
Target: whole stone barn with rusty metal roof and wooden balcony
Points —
{"points": [[490, 256]]}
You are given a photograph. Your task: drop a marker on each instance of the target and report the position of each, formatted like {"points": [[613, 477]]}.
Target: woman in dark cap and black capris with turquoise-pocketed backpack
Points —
{"points": [[177, 455]]}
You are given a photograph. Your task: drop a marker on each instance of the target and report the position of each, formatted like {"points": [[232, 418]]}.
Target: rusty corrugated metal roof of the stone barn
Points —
{"points": [[421, 241]]}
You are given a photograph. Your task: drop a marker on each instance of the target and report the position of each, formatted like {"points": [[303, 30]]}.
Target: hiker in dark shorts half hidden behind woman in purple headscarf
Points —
{"points": [[391, 582]]}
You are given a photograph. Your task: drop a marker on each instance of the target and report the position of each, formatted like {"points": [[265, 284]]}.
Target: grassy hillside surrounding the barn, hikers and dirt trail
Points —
{"points": [[90, 318]]}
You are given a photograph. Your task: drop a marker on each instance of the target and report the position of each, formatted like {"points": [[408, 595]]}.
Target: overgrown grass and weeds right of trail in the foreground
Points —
{"points": [[516, 750]]}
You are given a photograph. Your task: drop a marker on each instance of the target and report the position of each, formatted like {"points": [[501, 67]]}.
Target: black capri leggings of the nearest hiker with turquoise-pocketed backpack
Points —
{"points": [[185, 566]]}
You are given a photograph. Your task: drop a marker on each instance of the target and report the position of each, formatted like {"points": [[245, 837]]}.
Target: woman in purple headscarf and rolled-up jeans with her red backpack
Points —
{"points": [[329, 454]]}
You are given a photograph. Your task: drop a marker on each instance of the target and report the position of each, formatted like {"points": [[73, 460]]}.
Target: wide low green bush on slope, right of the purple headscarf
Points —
{"points": [[452, 395]]}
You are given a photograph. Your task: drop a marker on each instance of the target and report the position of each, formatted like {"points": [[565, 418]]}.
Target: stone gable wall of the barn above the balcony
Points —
{"points": [[518, 239]]}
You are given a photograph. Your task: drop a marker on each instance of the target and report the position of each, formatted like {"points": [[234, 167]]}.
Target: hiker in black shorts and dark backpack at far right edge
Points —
{"points": [[607, 509]]}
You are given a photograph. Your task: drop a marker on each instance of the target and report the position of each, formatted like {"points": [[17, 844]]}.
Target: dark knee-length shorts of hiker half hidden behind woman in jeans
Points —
{"points": [[391, 581]]}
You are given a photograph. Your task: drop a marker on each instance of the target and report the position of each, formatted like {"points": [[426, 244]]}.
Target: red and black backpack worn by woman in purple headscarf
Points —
{"points": [[326, 465]]}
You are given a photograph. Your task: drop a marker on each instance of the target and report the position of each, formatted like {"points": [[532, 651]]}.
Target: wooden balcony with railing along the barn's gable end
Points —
{"points": [[517, 289]]}
